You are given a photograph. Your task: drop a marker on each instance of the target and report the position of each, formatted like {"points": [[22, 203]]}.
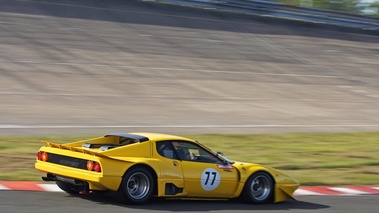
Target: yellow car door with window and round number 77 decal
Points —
{"points": [[205, 174]]}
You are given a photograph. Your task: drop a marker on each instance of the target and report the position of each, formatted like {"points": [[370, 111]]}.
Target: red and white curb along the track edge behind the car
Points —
{"points": [[306, 190]]}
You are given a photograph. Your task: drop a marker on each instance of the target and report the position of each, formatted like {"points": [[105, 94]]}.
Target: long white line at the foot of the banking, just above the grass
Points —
{"points": [[180, 126]]}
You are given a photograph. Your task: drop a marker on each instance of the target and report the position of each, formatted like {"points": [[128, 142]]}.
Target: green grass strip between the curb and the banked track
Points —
{"points": [[313, 159]]}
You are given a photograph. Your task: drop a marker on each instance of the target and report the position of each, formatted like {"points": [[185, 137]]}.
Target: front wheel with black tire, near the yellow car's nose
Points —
{"points": [[258, 189]]}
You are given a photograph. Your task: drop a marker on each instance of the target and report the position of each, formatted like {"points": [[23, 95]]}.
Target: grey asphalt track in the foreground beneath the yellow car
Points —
{"points": [[52, 202]]}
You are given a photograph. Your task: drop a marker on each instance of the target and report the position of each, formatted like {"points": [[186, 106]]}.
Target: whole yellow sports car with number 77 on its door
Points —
{"points": [[138, 166]]}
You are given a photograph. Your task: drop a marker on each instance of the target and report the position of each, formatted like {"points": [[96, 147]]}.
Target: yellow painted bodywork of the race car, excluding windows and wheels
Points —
{"points": [[183, 174]]}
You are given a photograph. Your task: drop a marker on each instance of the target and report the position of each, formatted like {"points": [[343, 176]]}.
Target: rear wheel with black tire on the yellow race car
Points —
{"points": [[137, 186]]}
